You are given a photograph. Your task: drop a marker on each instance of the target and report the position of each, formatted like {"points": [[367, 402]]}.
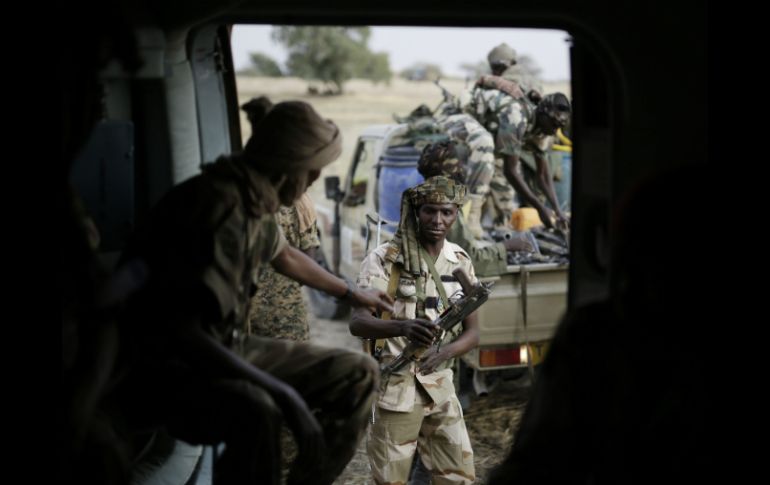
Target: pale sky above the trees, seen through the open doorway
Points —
{"points": [[446, 46]]}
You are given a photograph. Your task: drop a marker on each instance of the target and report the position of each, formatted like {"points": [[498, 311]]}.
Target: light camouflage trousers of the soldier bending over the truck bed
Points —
{"points": [[463, 129]]}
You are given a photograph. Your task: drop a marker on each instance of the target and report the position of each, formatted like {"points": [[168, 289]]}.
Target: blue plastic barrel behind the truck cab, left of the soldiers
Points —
{"points": [[397, 172]]}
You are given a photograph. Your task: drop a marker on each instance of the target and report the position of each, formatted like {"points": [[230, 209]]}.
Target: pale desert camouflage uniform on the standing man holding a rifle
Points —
{"points": [[418, 410]]}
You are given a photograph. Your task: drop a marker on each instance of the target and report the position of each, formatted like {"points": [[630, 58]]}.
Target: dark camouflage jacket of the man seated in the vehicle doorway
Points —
{"points": [[202, 243]]}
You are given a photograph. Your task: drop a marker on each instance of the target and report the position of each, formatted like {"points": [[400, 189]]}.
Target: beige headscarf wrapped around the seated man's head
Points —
{"points": [[292, 137]]}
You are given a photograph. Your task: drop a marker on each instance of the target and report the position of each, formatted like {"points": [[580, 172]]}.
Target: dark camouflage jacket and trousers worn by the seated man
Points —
{"points": [[203, 243]]}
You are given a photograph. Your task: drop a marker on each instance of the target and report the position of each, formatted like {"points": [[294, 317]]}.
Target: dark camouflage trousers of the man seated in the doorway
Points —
{"points": [[339, 385]]}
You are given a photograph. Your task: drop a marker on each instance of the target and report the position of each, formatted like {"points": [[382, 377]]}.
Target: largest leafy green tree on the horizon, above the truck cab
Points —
{"points": [[331, 54]]}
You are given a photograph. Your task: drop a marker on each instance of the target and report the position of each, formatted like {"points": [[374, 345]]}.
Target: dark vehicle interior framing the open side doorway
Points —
{"points": [[149, 97]]}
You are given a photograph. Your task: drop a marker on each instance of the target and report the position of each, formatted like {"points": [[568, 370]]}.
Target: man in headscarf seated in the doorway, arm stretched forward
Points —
{"points": [[193, 371]]}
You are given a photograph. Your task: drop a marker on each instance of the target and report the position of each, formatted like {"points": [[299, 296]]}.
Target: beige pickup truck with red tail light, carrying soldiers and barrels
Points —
{"points": [[521, 315]]}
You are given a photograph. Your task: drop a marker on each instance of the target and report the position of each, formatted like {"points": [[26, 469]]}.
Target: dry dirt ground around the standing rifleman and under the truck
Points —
{"points": [[491, 420]]}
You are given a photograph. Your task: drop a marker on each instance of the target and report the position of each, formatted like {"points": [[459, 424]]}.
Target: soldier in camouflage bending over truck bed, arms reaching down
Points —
{"points": [[518, 125]]}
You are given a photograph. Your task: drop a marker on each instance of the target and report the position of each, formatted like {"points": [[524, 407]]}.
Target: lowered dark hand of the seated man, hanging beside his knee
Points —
{"points": [[307, 432]]}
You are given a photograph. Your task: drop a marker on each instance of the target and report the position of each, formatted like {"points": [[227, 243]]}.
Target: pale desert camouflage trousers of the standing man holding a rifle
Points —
{"points": [[437, 430]]}
